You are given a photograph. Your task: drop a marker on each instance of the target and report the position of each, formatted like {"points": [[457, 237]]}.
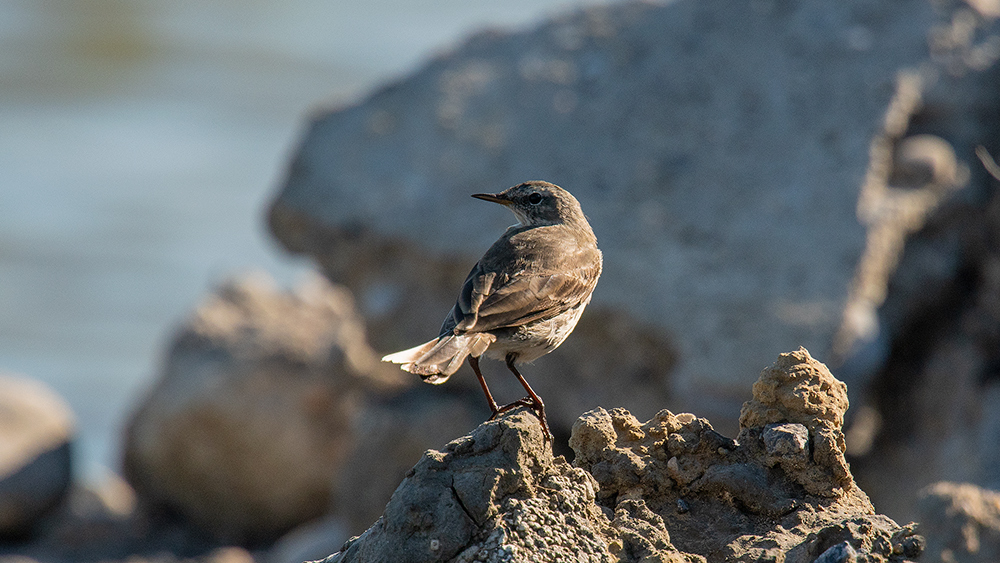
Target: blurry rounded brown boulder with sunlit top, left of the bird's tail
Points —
{"points": [[252, 416]]}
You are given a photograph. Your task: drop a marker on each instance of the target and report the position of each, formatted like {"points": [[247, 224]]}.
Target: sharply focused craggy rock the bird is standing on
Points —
{"points": [[671, 489]]}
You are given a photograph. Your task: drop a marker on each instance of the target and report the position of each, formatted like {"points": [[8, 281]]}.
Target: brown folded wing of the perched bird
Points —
{"points": [[526, 297]]}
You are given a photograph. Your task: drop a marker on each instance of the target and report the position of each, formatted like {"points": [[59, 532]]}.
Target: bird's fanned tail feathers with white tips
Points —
{"points": [[436, 360]]}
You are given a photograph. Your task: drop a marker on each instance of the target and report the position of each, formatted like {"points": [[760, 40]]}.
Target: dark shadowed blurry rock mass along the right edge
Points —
{"points": [[931, 356]]}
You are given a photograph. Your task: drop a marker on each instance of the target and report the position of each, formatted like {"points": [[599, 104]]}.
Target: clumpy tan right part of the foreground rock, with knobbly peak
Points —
{"points": [[774, 502]]}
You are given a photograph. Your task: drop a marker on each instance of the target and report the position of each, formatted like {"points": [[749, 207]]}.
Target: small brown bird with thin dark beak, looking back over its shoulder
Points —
{"points": [[522, 299]]}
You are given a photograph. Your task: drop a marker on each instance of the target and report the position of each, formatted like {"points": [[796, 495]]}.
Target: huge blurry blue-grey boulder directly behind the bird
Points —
{"points": [[726, 202]]}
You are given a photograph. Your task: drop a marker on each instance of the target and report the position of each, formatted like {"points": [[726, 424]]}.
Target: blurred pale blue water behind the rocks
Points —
{"points": [[140, 141]]}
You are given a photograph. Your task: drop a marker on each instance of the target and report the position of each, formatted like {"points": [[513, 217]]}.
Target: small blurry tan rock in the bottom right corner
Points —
{"points": [[961, 522]]}
